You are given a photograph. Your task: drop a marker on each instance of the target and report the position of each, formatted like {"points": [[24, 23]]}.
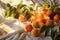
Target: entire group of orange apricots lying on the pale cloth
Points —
{"points": [[38, 20]]}
